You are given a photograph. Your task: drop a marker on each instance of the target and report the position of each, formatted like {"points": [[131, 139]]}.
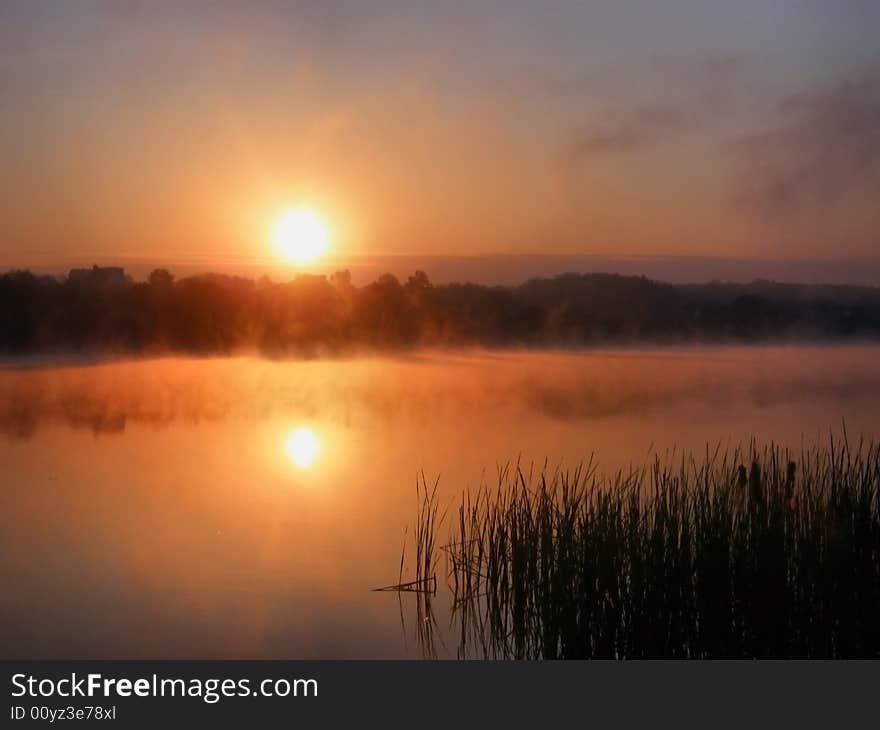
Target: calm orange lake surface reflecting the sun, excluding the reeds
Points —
{"points": [[245, 508]]}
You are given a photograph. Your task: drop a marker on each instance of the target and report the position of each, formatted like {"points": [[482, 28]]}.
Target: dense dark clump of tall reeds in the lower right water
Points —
{"points": [[747, 553]]}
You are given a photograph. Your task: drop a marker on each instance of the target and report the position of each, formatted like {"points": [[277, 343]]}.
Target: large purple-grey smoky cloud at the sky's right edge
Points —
{"points": [[825, 146]]}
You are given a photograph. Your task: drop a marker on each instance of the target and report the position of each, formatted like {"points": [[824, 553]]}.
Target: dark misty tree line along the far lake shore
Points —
{"points": [[318, 315]]}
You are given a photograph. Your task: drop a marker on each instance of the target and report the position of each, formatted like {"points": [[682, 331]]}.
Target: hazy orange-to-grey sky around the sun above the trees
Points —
{"points": [[174, 131]]}
